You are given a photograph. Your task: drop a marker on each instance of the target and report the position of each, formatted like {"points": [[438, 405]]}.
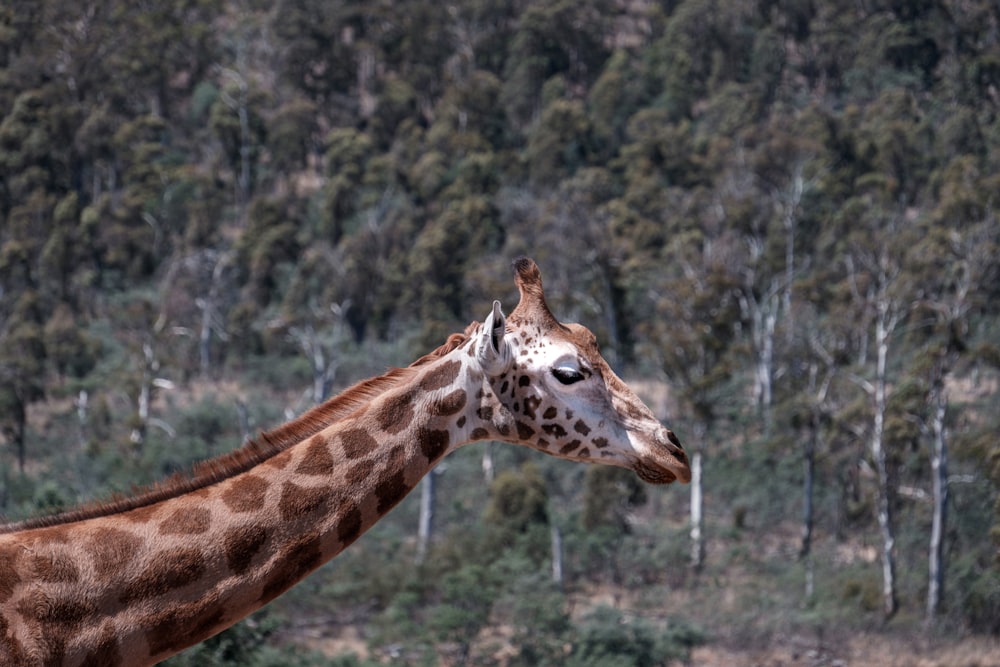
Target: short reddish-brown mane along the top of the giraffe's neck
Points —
{"points": [[252, 453]]}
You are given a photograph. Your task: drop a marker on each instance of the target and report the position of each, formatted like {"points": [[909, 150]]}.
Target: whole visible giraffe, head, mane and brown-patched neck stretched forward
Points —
{"points": [[136, 579]]}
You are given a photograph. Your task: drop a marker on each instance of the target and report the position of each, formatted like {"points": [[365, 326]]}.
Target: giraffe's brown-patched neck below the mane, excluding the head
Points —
{"points": [[136, 587]]}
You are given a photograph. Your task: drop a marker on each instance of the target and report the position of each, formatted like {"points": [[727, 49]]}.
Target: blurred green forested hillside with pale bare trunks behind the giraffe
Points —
{"points": [[778, 216]]}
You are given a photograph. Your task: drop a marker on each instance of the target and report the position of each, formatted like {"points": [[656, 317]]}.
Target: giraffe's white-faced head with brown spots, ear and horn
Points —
{"points": [[551, 389]]}
